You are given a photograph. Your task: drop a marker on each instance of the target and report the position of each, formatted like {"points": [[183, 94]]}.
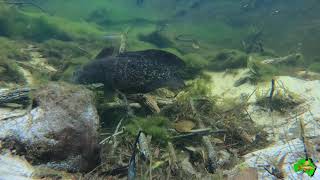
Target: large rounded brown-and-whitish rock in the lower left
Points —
{"points": [[59, 132]]}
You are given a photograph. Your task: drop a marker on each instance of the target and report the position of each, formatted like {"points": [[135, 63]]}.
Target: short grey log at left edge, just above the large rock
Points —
{"points": [[16, 95]]}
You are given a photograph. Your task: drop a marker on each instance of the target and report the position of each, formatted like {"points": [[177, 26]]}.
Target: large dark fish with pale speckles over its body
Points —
{"points": [[140, 71]]}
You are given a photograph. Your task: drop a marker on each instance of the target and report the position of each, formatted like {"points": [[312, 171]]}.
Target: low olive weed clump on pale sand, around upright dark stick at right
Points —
{"points": [[282, 100]]}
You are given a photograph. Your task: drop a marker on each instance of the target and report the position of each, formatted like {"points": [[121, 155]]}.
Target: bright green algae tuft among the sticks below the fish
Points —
{"points": [[156, 126]]}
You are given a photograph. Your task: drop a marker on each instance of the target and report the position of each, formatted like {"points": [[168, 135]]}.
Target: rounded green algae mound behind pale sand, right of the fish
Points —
{"points": [[228, 59]]}
